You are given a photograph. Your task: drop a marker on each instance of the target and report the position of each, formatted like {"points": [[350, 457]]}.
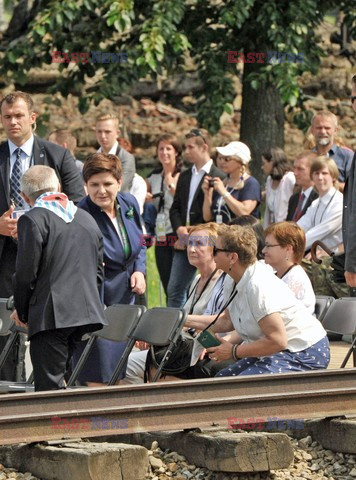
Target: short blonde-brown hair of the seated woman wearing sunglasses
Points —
{"points": [[241, 240]]}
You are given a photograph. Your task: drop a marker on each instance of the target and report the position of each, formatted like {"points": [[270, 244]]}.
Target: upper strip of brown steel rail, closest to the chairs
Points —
{"points": [[189, 390]]}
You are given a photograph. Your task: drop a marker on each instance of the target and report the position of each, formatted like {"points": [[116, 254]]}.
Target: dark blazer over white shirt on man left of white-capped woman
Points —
{"points": [[178, 211]]}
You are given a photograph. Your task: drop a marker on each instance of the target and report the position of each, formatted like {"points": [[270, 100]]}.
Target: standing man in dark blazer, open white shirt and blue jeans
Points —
{"points": [[187, 210]]}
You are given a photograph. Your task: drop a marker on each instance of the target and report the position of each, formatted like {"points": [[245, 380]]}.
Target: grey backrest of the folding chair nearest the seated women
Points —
{"points": [[160, 326]]}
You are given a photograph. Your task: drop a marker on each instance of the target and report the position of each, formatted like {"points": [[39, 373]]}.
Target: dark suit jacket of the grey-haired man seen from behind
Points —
{"points": [[59, 271]]}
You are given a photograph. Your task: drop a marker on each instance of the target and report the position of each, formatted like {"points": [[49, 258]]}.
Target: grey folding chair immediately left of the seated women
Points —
{"points": [[159, 327]]}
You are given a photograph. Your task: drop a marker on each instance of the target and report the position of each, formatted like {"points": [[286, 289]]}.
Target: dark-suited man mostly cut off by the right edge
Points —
{"points": [[349, 213]]}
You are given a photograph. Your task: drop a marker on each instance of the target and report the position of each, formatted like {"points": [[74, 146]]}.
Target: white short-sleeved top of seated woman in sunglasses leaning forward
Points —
{"points": [[261, 293]]}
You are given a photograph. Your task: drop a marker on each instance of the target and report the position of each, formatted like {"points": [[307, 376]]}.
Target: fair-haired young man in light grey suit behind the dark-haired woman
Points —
{"points": [[107, 132]]}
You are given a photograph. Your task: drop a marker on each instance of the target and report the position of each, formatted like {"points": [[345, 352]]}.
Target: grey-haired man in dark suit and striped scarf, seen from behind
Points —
{"points": [[66, 256]]}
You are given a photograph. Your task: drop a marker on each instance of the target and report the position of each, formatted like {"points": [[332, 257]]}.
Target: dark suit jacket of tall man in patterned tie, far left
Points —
{"points": [[44, 153]]}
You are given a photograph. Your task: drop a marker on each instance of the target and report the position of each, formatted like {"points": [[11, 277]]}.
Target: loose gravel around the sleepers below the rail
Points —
{"points": [[311, 462]]}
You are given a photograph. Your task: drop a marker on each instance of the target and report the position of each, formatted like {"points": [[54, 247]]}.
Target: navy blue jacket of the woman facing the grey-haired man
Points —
{"points": [[118, 269]]}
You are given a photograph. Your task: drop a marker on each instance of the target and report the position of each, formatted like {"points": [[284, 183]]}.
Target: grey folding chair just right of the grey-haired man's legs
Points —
{"points": [[122, 320]]}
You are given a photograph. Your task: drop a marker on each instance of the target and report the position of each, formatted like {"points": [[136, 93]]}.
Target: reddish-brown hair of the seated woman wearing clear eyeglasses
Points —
{"points": [[289, 233]]}
